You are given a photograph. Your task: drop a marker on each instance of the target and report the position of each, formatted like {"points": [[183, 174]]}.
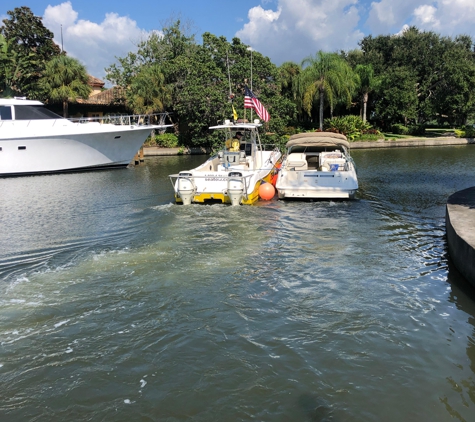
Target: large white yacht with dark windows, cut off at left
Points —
{"points": [[34, 140]]}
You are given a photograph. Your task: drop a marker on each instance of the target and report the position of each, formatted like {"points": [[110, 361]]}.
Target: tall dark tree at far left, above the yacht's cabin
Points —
{"points": [[29, 45]]}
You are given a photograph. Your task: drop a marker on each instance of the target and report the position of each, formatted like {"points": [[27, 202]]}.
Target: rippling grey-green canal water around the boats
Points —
{"points": [[117, 305]]}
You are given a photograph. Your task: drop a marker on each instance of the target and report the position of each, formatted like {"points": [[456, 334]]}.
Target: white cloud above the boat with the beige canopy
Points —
{"points": [[299, 28]]}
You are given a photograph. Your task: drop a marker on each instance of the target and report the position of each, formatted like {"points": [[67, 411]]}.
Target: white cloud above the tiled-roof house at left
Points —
{"points": [[94, 44]]}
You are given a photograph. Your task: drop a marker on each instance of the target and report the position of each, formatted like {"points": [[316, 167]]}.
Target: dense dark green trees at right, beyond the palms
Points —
{"points": [[423, 75]]}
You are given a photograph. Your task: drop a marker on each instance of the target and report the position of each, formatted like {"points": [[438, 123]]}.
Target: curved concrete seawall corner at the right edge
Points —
{"points": [[460, 230]]}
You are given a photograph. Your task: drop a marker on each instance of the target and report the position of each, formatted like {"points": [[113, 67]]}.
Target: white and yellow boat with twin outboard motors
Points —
{"points": [[233, 175]]}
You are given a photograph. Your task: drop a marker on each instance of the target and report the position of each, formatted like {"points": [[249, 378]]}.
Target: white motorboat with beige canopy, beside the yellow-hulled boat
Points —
{"points": [[317, 165]]}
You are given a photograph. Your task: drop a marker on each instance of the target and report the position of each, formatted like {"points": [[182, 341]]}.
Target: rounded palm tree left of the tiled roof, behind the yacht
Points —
{"points": [[65, 80]]}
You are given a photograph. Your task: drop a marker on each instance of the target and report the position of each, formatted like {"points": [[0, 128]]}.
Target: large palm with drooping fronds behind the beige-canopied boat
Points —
{"points": [[325, 76]]}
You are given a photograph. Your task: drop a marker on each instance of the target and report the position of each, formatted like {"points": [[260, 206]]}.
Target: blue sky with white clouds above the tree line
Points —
{"points": [[95, 32]]}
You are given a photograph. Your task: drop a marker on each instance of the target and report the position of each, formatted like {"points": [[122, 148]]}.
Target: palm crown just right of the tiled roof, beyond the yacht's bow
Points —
{"points": [[148, 92]]}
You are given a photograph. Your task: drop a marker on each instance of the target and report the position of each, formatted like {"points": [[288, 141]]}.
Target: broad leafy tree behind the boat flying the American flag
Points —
{"points": [[197, 79]]}
